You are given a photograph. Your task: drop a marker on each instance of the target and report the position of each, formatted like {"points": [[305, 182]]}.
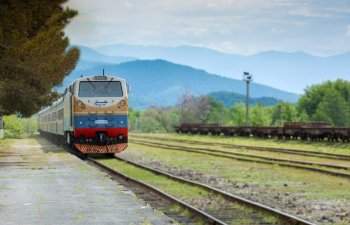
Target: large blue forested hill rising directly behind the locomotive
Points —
{"points": [[158, 82]]}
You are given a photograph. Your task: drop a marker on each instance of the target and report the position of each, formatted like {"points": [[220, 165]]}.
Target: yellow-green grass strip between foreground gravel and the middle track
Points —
{"points": [[310, 184]]}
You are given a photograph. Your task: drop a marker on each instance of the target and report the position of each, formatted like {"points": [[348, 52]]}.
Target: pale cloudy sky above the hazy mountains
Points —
{"points": [[317, 27]]}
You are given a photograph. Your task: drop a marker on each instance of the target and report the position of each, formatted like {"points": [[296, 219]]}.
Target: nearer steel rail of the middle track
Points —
{"points": [[207, 152]]}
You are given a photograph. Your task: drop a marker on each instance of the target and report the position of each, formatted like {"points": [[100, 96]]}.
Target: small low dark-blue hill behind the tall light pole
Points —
{"points": [[231, 98]]}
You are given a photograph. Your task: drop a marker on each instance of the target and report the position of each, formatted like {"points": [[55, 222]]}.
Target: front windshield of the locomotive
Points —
{"points": [[100, 89]]}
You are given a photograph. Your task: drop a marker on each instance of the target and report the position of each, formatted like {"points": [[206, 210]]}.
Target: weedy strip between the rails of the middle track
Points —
{"points": [[318, 167]]}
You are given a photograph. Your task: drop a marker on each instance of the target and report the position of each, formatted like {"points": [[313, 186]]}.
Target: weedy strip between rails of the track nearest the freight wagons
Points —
{"points": [[257, 148]]}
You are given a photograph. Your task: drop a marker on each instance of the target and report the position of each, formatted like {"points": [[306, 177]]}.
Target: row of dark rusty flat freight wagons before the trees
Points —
{"points": [[313, 131]]}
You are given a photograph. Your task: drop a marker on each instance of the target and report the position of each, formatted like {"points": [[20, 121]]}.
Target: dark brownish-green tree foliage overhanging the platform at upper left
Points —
{"points": [[33, 54]]}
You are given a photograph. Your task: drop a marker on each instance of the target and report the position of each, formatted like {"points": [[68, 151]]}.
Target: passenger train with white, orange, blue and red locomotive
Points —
{"points": [[91, 115]]}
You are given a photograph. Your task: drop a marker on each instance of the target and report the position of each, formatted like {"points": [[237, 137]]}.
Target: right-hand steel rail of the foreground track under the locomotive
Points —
{"points": [[229, 196]]}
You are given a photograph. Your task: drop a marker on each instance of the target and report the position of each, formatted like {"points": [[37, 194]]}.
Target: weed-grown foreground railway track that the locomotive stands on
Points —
{"points": [[220, 207]]}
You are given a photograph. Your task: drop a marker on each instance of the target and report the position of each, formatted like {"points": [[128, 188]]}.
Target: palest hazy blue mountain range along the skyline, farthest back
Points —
{"points": [[287, 71]]}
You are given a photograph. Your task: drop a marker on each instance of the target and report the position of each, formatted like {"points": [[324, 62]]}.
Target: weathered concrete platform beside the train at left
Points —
{"points": [[41, 183]]}
